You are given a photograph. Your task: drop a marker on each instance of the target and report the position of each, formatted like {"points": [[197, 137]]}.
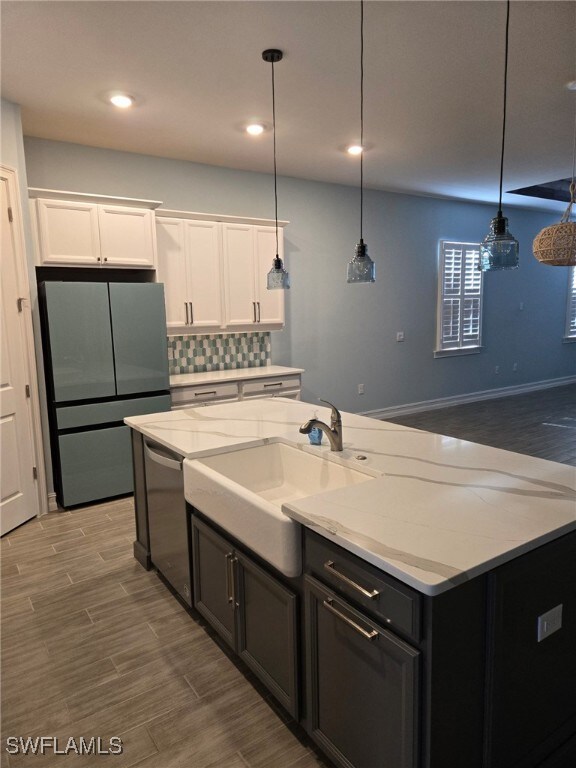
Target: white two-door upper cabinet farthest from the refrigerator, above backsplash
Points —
{"points": [[248, 252]]}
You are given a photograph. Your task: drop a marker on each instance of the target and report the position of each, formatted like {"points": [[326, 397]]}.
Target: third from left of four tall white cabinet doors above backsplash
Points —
{"points": [[238, 251]]}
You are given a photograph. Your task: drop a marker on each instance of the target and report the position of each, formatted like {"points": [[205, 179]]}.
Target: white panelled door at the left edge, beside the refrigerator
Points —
{"points": [[18, 494]]}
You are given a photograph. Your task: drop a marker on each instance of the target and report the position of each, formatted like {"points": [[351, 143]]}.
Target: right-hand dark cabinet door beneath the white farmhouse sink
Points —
{"points": [[267, 631]]}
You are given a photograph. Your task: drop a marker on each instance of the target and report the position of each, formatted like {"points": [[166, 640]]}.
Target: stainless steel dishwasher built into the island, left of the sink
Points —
{"points": [[168, 522]]}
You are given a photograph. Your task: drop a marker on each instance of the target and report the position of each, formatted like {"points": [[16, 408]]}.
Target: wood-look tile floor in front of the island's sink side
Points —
{"points": [[94, 645]]}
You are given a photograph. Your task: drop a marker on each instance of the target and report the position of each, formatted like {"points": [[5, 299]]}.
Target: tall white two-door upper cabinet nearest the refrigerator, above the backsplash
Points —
{"points": [[189, 267]]}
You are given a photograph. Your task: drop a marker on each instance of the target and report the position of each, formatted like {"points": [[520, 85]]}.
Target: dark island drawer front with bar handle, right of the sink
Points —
{"points": [[384, 597]]}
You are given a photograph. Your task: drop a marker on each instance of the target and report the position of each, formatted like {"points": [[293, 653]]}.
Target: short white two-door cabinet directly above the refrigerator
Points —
{"points": [[88, 231]]}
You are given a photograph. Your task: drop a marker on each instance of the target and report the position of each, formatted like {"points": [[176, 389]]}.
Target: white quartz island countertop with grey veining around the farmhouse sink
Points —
{"points": [[441, 511]]}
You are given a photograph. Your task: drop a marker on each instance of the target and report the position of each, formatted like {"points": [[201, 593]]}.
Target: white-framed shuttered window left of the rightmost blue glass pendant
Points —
{"points": [[459, 299]]}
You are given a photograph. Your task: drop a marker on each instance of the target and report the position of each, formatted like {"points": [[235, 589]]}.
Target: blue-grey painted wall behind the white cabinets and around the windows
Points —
{"points": [[343, 334]]}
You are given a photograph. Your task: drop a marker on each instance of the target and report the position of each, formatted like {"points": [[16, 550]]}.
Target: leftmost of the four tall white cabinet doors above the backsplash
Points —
{"points": [[172, 271]]}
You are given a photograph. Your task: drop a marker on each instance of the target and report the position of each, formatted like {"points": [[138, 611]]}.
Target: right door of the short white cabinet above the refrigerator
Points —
{"points": [[127, 236]]}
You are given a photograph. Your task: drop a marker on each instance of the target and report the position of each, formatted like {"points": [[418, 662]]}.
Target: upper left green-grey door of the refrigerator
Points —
{"points": [[78, 317]]}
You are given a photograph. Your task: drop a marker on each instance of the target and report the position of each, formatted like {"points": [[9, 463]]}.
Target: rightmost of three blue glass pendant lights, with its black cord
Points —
{"points": [[499, 249]]}
